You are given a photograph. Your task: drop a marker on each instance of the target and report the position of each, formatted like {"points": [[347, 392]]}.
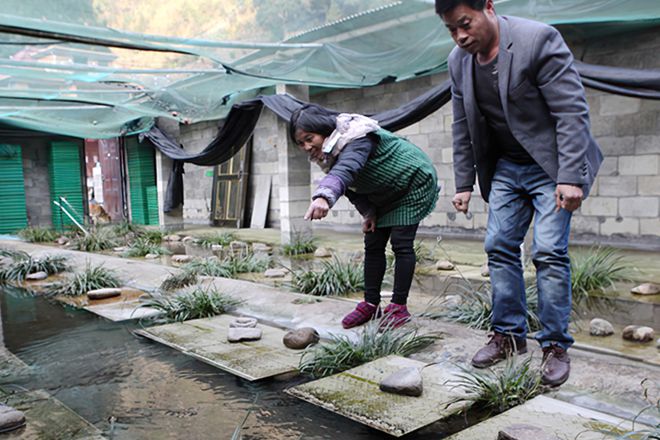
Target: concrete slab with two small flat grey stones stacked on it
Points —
{"points": [[206, 340]]}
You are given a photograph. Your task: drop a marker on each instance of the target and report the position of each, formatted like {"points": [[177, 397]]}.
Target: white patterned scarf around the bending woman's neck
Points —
{"points": [[350, 126]]}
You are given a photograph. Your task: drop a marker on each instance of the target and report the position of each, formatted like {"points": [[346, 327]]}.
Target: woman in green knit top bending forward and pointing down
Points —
{"points": [[391, 182]]}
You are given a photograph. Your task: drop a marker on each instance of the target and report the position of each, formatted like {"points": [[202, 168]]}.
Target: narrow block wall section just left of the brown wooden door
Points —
{"points": [[198, 187]]}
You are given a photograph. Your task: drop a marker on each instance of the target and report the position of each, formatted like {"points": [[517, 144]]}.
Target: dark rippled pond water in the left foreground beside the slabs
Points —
{"points": [[131, 388]]}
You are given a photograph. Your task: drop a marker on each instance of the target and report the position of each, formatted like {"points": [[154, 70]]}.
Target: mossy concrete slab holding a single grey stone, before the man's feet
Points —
{"points": [[355, 394]]}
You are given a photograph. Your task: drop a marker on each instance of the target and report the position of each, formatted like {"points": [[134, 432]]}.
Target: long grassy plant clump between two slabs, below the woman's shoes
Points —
{"points": [[374, 341]]}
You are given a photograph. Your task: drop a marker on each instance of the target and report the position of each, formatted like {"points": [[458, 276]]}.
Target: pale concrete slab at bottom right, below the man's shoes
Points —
{"points": [[556, 419]]}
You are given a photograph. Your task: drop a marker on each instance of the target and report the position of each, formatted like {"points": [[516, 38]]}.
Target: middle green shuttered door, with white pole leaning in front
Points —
{"points": [[65, 172]]}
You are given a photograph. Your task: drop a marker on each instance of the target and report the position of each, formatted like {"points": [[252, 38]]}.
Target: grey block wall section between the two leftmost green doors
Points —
{"points": [[37, 186]]}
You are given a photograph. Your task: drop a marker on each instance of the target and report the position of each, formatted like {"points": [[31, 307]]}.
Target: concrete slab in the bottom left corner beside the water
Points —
{"points": [[47, 417]]}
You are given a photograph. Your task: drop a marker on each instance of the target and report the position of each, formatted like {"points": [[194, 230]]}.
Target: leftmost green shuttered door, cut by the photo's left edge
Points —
{"points": [[13, 215]]}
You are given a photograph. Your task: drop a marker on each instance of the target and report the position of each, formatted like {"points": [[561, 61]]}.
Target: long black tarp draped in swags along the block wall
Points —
{"points": [[242, 118]]}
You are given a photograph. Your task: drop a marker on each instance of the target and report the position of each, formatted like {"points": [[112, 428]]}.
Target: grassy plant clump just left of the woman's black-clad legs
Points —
{"points": [[336, 277]]}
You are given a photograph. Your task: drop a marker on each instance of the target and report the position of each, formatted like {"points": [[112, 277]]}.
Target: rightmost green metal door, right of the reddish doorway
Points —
{"points": [[142, 182]]}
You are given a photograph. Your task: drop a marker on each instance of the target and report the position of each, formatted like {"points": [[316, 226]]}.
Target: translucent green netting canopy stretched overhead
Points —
{"points": [[105, 68]]}
